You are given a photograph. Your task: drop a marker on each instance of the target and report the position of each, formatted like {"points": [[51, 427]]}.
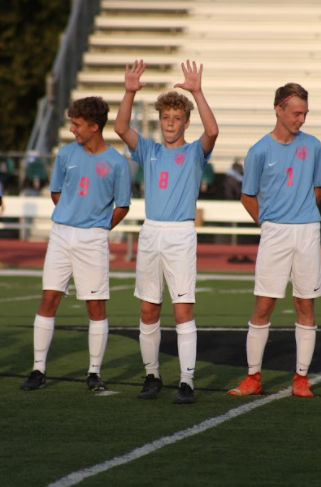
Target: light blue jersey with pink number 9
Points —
{"points": [[90, 185]]}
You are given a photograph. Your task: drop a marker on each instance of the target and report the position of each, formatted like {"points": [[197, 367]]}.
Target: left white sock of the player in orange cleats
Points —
{"points": [[255, 344]]}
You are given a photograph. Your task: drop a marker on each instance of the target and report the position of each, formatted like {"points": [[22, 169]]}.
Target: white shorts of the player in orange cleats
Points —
{"points": [[288, 251]]}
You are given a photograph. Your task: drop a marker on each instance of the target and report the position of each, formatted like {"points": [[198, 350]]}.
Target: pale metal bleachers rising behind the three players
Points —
{"points": [[248, 49]]}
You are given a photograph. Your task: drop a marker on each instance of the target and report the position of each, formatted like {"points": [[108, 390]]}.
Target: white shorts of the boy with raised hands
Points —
{"points": [[166, 250]]}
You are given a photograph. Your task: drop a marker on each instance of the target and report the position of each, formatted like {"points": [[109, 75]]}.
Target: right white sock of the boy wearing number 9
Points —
{"points": [[97, 340]]}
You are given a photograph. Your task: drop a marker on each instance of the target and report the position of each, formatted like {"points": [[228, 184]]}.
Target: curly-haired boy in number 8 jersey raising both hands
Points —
{"points": [[167, 240]]}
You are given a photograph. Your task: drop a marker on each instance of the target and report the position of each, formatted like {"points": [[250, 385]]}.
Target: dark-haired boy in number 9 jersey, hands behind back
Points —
{"points": [[89, 177]]}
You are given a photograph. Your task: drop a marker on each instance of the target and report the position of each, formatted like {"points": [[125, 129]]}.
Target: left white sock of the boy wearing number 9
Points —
{"points": [[42, 336]]}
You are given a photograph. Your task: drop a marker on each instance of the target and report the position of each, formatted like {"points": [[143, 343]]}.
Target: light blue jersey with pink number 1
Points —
{"points": [[283, 177]]}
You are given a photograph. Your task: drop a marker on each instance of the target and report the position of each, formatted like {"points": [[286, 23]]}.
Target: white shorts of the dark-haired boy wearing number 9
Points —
{"points": [[82, 253]]}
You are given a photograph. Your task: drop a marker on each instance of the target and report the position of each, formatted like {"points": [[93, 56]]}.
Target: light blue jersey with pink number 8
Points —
{"points": [[171, 178]]}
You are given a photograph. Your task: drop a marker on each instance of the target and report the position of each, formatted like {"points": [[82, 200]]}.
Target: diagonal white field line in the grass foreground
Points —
{"points": [[76, 477]]}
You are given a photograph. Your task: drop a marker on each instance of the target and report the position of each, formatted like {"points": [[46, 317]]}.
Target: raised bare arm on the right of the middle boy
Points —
{"points": [[192, 83]]}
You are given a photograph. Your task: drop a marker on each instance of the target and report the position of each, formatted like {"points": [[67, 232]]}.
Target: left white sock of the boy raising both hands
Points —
{"points": [[149, 340]]}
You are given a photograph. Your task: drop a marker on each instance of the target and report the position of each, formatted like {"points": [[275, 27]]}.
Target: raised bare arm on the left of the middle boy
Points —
{"points": [[132, 85]]}
